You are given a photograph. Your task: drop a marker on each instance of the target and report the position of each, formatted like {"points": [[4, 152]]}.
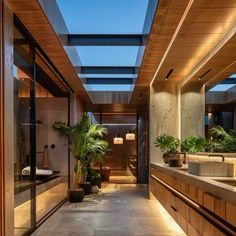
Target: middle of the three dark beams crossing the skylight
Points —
{"points": [[106, 70]]}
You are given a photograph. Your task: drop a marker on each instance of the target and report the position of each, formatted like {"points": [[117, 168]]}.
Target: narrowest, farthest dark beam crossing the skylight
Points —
{"points": [[109, 80]]}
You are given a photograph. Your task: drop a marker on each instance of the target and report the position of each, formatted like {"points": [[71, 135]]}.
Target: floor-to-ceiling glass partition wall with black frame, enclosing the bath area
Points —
{"points": [[40, 99]]}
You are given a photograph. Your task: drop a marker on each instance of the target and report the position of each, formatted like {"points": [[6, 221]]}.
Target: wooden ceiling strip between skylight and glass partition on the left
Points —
{"points": [[33, 18]]}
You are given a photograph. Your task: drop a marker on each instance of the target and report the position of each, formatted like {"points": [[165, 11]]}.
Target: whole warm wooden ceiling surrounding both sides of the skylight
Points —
{"points": [[185, 36]]}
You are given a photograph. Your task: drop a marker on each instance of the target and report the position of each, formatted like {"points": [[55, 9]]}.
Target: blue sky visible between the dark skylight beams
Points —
{"points": [[105, 17]]}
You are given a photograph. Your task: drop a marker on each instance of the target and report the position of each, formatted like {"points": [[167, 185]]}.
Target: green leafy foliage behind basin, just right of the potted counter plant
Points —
{"points": [[193, 144]]}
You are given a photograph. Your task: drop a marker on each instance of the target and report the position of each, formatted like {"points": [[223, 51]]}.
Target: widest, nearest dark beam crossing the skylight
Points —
{"points": [[106, 39]]}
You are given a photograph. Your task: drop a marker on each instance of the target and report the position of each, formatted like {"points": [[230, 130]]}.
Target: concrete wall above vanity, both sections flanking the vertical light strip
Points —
{"points": [[175, 111]]}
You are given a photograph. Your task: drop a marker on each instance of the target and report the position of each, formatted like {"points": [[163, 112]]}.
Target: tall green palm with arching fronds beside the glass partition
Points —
{"points": [[86, 145]]}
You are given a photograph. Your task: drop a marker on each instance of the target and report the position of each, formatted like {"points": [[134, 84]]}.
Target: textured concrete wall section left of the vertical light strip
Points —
{"points": [[164, 116]]}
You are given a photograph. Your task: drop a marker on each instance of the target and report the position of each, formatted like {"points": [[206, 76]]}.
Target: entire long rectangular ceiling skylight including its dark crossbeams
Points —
{"points": [[120, 29]]}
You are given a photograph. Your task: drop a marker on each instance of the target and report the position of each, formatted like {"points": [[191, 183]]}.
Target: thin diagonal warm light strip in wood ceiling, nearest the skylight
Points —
{"points": [[173, 38]]}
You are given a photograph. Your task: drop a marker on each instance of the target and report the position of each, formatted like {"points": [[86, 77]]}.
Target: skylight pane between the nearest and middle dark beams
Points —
{"points": [[107, 55]]}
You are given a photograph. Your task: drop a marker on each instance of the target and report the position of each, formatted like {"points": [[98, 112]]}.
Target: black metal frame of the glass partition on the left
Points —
{"points": [[35, 49]]}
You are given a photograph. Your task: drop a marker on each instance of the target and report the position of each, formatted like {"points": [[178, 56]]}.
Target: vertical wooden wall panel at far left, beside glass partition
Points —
{"points": [[8, 116]]}
